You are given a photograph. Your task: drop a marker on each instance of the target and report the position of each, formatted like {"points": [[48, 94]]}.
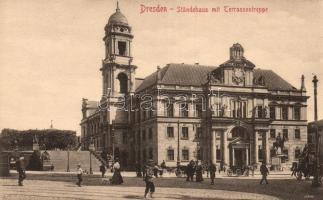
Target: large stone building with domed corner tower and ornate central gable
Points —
{"points": [[230, 113]]}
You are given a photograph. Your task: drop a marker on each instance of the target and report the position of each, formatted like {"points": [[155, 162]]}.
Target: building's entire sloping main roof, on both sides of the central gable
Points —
{"points": [[196, 75]]}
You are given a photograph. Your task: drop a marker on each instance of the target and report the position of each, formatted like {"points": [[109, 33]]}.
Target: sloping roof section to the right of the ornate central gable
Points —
{"points": [[272, 80]]}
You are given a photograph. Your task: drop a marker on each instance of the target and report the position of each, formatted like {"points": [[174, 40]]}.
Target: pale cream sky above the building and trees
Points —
{"points": [[51, 51]]}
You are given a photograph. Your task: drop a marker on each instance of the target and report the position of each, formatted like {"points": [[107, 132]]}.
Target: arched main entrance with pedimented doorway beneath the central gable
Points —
{"points": [[239, 145]]}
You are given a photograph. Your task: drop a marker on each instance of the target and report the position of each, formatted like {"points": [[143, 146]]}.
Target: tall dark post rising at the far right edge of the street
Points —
{"points": [[316, 182]]}
